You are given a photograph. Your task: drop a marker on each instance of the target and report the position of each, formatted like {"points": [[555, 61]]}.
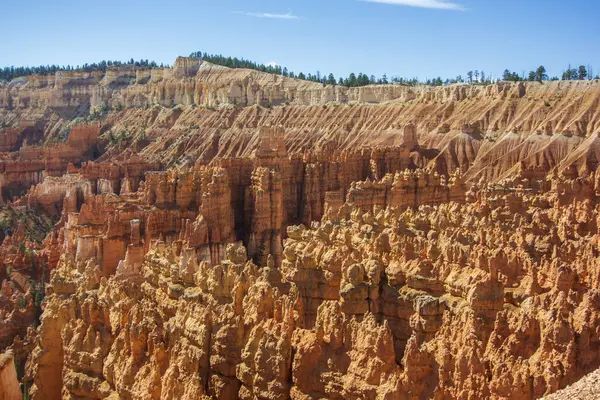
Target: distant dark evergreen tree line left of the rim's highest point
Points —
{"points": [[9, 73]]}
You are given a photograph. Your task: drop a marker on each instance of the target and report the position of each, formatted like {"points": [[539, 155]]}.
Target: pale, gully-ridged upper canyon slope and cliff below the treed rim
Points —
{"points": [[197, 110]]}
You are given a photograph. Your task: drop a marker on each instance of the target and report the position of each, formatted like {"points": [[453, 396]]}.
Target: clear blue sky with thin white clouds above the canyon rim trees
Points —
{"points": [[423, 38]]}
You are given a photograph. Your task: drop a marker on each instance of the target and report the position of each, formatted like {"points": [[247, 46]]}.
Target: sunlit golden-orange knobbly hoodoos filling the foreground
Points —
{"points": [[374, 301]]}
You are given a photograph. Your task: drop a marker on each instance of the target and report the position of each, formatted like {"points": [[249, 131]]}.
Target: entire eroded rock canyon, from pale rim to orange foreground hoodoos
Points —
{"points": [[203, 232]]}
